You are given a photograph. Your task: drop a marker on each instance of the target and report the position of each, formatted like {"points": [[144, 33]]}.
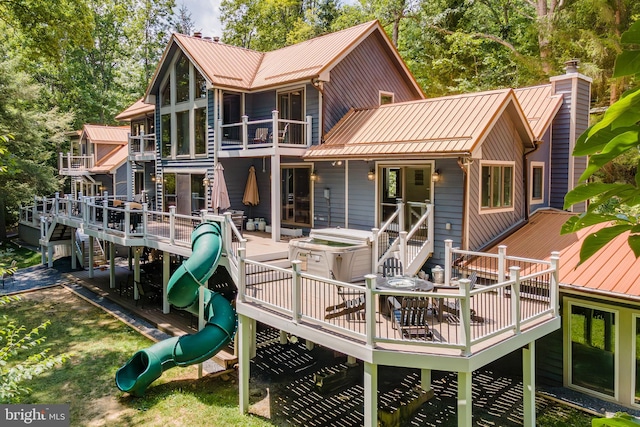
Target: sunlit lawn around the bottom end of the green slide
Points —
{"points": [[99, 344]]}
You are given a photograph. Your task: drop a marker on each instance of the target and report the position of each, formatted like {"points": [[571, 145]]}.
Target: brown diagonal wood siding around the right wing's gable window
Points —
{"points": [[502, 144]]}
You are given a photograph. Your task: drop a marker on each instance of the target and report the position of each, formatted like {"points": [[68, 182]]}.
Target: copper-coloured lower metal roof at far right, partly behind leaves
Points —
{"points": [[614, 269]]}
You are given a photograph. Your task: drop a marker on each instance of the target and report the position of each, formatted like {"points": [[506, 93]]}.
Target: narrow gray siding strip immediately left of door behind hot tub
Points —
{"points": [[362, 196]]}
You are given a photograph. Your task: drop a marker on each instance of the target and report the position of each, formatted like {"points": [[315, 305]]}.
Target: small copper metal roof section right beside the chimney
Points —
{"points": [[540, 107]]}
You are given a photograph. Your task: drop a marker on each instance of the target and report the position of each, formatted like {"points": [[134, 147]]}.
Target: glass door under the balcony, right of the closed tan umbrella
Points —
{"points": [[295, 193]]}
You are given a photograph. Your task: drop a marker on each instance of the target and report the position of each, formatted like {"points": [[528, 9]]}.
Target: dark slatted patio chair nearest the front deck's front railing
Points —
{"points": [[410, 317]]}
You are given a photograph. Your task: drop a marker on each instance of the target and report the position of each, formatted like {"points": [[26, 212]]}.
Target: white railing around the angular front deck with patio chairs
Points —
{"points": [[456, 319]]}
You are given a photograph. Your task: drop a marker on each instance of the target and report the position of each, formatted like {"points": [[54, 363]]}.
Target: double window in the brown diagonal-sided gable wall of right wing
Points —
{"points": [[496, 186]]}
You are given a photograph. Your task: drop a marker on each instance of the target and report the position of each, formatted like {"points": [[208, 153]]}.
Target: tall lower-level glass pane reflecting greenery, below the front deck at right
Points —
{"points": [[593, 348]]}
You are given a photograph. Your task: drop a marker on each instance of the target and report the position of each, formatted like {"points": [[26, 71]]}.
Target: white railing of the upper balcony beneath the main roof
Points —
{"points": [[260, 133]]}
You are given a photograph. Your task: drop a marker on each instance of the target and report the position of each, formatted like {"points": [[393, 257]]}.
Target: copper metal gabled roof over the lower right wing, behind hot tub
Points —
{"points": [[451, 125]]}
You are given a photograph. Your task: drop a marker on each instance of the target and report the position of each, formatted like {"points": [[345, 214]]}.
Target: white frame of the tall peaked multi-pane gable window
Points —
{"points": [[191, 105]]}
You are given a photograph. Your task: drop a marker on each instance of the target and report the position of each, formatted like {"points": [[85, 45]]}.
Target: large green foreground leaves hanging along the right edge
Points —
{"points": [[617, 134]]}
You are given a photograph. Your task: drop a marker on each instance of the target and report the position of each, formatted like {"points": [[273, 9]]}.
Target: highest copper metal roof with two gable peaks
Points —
{"points": [[244, 69]]}
